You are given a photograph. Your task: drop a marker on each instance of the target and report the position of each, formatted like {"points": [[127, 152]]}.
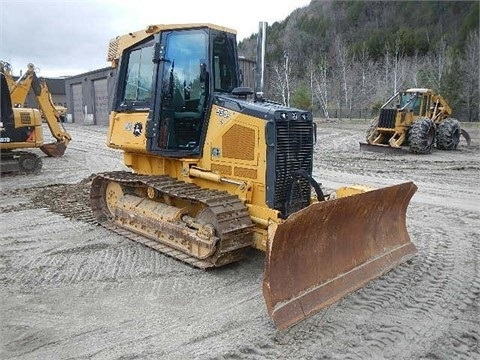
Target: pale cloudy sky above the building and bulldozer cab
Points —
{"points": [[70, 37]]}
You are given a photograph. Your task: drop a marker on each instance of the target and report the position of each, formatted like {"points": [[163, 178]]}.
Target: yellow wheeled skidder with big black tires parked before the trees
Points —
{"points": [[416, 119]]}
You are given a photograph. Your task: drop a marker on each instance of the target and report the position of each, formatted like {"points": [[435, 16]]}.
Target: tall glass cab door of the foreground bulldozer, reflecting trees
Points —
{"points": [[184, 89]]}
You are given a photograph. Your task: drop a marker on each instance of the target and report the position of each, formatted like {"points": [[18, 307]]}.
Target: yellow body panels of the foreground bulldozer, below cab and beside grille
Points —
{"points": [[240, 170]]}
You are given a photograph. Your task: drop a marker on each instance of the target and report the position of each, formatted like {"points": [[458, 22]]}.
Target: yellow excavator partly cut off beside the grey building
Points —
{"points": [[22, 127]]}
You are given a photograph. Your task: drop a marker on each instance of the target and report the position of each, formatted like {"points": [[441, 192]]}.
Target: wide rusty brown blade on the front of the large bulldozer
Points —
{"points": [[332, 248]]}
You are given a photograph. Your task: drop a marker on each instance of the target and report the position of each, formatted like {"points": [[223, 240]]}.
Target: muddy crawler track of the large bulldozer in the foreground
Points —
{"points": [[204, 228]]}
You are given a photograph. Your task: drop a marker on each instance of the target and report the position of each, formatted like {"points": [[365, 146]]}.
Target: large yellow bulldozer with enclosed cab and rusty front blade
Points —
{"points": [[217, 169]]}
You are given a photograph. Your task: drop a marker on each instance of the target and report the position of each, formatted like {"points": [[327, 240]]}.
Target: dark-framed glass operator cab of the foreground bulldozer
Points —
{"points": [[172, 75]]}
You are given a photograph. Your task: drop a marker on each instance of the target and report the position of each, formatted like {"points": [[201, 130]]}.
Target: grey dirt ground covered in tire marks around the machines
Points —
{"points": [[70, 289]]}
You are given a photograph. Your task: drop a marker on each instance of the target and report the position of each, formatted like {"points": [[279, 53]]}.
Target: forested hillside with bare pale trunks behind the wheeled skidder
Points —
{"points": [[345, 58]]}
